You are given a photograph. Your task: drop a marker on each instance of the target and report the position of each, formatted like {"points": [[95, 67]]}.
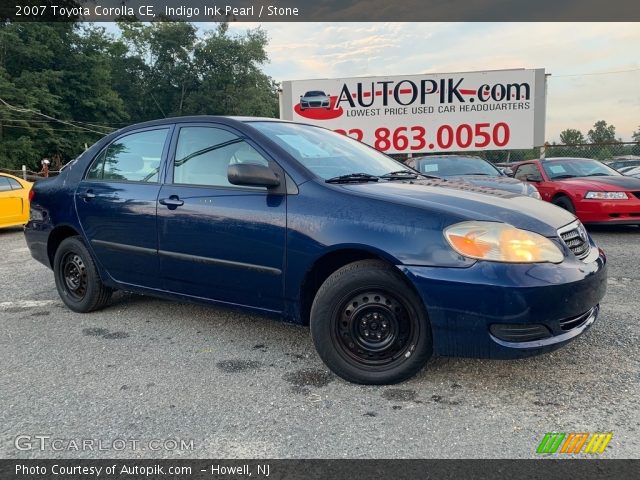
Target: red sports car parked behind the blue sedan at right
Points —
{"points": [[587, 188]]}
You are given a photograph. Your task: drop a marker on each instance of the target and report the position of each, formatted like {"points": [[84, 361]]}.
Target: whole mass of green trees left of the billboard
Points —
{"points": [[97, 81]]}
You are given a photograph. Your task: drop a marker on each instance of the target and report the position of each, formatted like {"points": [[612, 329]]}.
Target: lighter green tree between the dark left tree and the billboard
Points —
{"points": [[181, 72]]}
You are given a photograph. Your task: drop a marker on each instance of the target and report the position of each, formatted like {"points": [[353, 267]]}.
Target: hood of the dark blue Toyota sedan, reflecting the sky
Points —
{"points": [[470, 202]]}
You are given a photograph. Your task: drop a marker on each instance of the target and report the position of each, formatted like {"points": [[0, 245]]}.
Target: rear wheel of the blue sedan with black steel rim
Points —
{"points": [[77, 279]]}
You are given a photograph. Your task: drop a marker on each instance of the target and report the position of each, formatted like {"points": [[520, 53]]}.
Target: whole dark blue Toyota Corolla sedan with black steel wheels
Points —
{"points": [[386, 265]]}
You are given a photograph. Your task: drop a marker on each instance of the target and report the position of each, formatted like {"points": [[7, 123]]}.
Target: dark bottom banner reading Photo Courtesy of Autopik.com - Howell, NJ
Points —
{"points": [[543, 469]]}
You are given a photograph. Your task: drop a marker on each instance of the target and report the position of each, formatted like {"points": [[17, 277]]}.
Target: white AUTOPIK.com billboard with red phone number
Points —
{"points": [[491, 110]]}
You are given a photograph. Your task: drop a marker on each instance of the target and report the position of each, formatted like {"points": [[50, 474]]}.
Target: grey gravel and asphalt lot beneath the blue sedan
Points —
{"points": [[240, 386]]}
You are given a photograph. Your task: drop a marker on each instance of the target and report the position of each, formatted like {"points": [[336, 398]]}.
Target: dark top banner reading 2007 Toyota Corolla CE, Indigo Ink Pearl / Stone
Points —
{"points": [[322, 10]]}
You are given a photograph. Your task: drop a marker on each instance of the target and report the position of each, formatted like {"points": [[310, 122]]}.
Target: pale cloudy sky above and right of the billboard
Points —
{"points": [[577, 55]]}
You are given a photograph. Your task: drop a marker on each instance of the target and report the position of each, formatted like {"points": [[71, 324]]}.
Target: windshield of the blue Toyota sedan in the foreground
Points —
{"points": [[328, 154]]}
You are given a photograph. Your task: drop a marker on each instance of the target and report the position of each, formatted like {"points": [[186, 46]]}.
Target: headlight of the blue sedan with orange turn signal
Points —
{"points": [[500, 242]]}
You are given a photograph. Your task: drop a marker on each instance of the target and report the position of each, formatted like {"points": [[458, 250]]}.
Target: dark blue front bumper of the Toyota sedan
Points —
{"points": [[466, 304]]}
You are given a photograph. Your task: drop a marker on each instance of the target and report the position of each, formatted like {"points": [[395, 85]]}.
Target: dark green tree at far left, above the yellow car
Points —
{"points": [[49, 72]]}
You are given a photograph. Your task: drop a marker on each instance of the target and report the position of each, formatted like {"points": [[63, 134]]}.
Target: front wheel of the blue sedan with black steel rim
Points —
{"points": [[369, 326]]}
